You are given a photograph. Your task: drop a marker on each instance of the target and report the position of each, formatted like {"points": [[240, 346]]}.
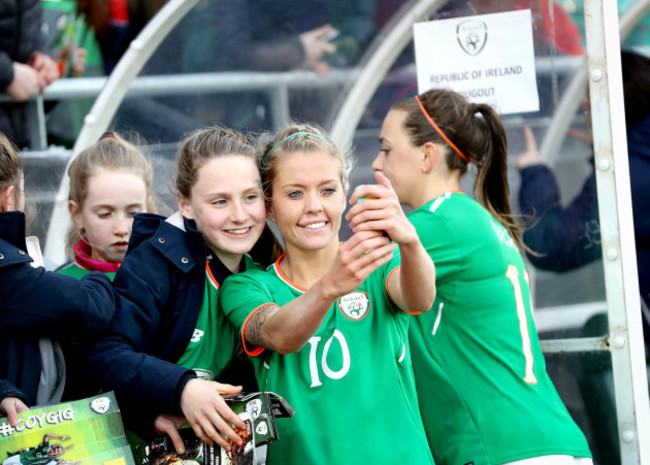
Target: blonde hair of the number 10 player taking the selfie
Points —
{"points": [[302, 138]]}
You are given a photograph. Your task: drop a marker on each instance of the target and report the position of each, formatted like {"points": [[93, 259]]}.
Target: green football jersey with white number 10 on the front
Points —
{"points": [[352, 384]]}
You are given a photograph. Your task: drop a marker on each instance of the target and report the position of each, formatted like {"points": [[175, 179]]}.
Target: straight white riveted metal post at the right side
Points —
{"points": [[617, 230]]}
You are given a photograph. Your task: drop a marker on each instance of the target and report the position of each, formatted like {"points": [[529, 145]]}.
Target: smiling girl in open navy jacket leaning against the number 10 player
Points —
{"points": [[169, 340]]}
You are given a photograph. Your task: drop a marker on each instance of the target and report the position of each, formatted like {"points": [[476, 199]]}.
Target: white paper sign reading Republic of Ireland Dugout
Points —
{"points": [[487, 58]]}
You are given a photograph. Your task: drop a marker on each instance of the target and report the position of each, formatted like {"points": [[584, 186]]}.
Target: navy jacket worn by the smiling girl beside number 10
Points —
{"points": [[159, 287]]}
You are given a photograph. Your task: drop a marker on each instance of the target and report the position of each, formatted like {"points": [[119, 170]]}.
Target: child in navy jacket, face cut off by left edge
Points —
{"points": [[39, 307]]}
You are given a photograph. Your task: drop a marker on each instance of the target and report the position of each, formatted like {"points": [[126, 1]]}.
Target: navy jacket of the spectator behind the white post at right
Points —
{"points": [[570, 237]]}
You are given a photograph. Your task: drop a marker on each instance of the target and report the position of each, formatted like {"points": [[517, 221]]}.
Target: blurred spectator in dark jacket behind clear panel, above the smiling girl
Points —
{"points": [[224, 36]]}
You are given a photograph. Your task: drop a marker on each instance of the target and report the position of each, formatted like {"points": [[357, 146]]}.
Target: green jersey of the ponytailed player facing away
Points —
{"points": [[484, 393]]}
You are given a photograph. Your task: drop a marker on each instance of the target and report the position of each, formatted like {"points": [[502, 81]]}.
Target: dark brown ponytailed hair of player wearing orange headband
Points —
{"points": [[477, 131]]}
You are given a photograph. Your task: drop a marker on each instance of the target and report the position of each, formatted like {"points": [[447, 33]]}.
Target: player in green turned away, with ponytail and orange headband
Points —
{"points": [[484, 393]]}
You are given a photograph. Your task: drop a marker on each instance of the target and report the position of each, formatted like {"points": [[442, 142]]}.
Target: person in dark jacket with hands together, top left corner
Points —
{"points": [[24, 65]]}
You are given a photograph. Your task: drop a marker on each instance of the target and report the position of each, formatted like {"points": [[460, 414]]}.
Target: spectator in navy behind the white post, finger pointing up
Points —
{"points": [[565, 236]]}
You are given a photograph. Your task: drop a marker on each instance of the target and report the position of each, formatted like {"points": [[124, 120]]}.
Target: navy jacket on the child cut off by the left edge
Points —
{"points": [[36, 303]]}
